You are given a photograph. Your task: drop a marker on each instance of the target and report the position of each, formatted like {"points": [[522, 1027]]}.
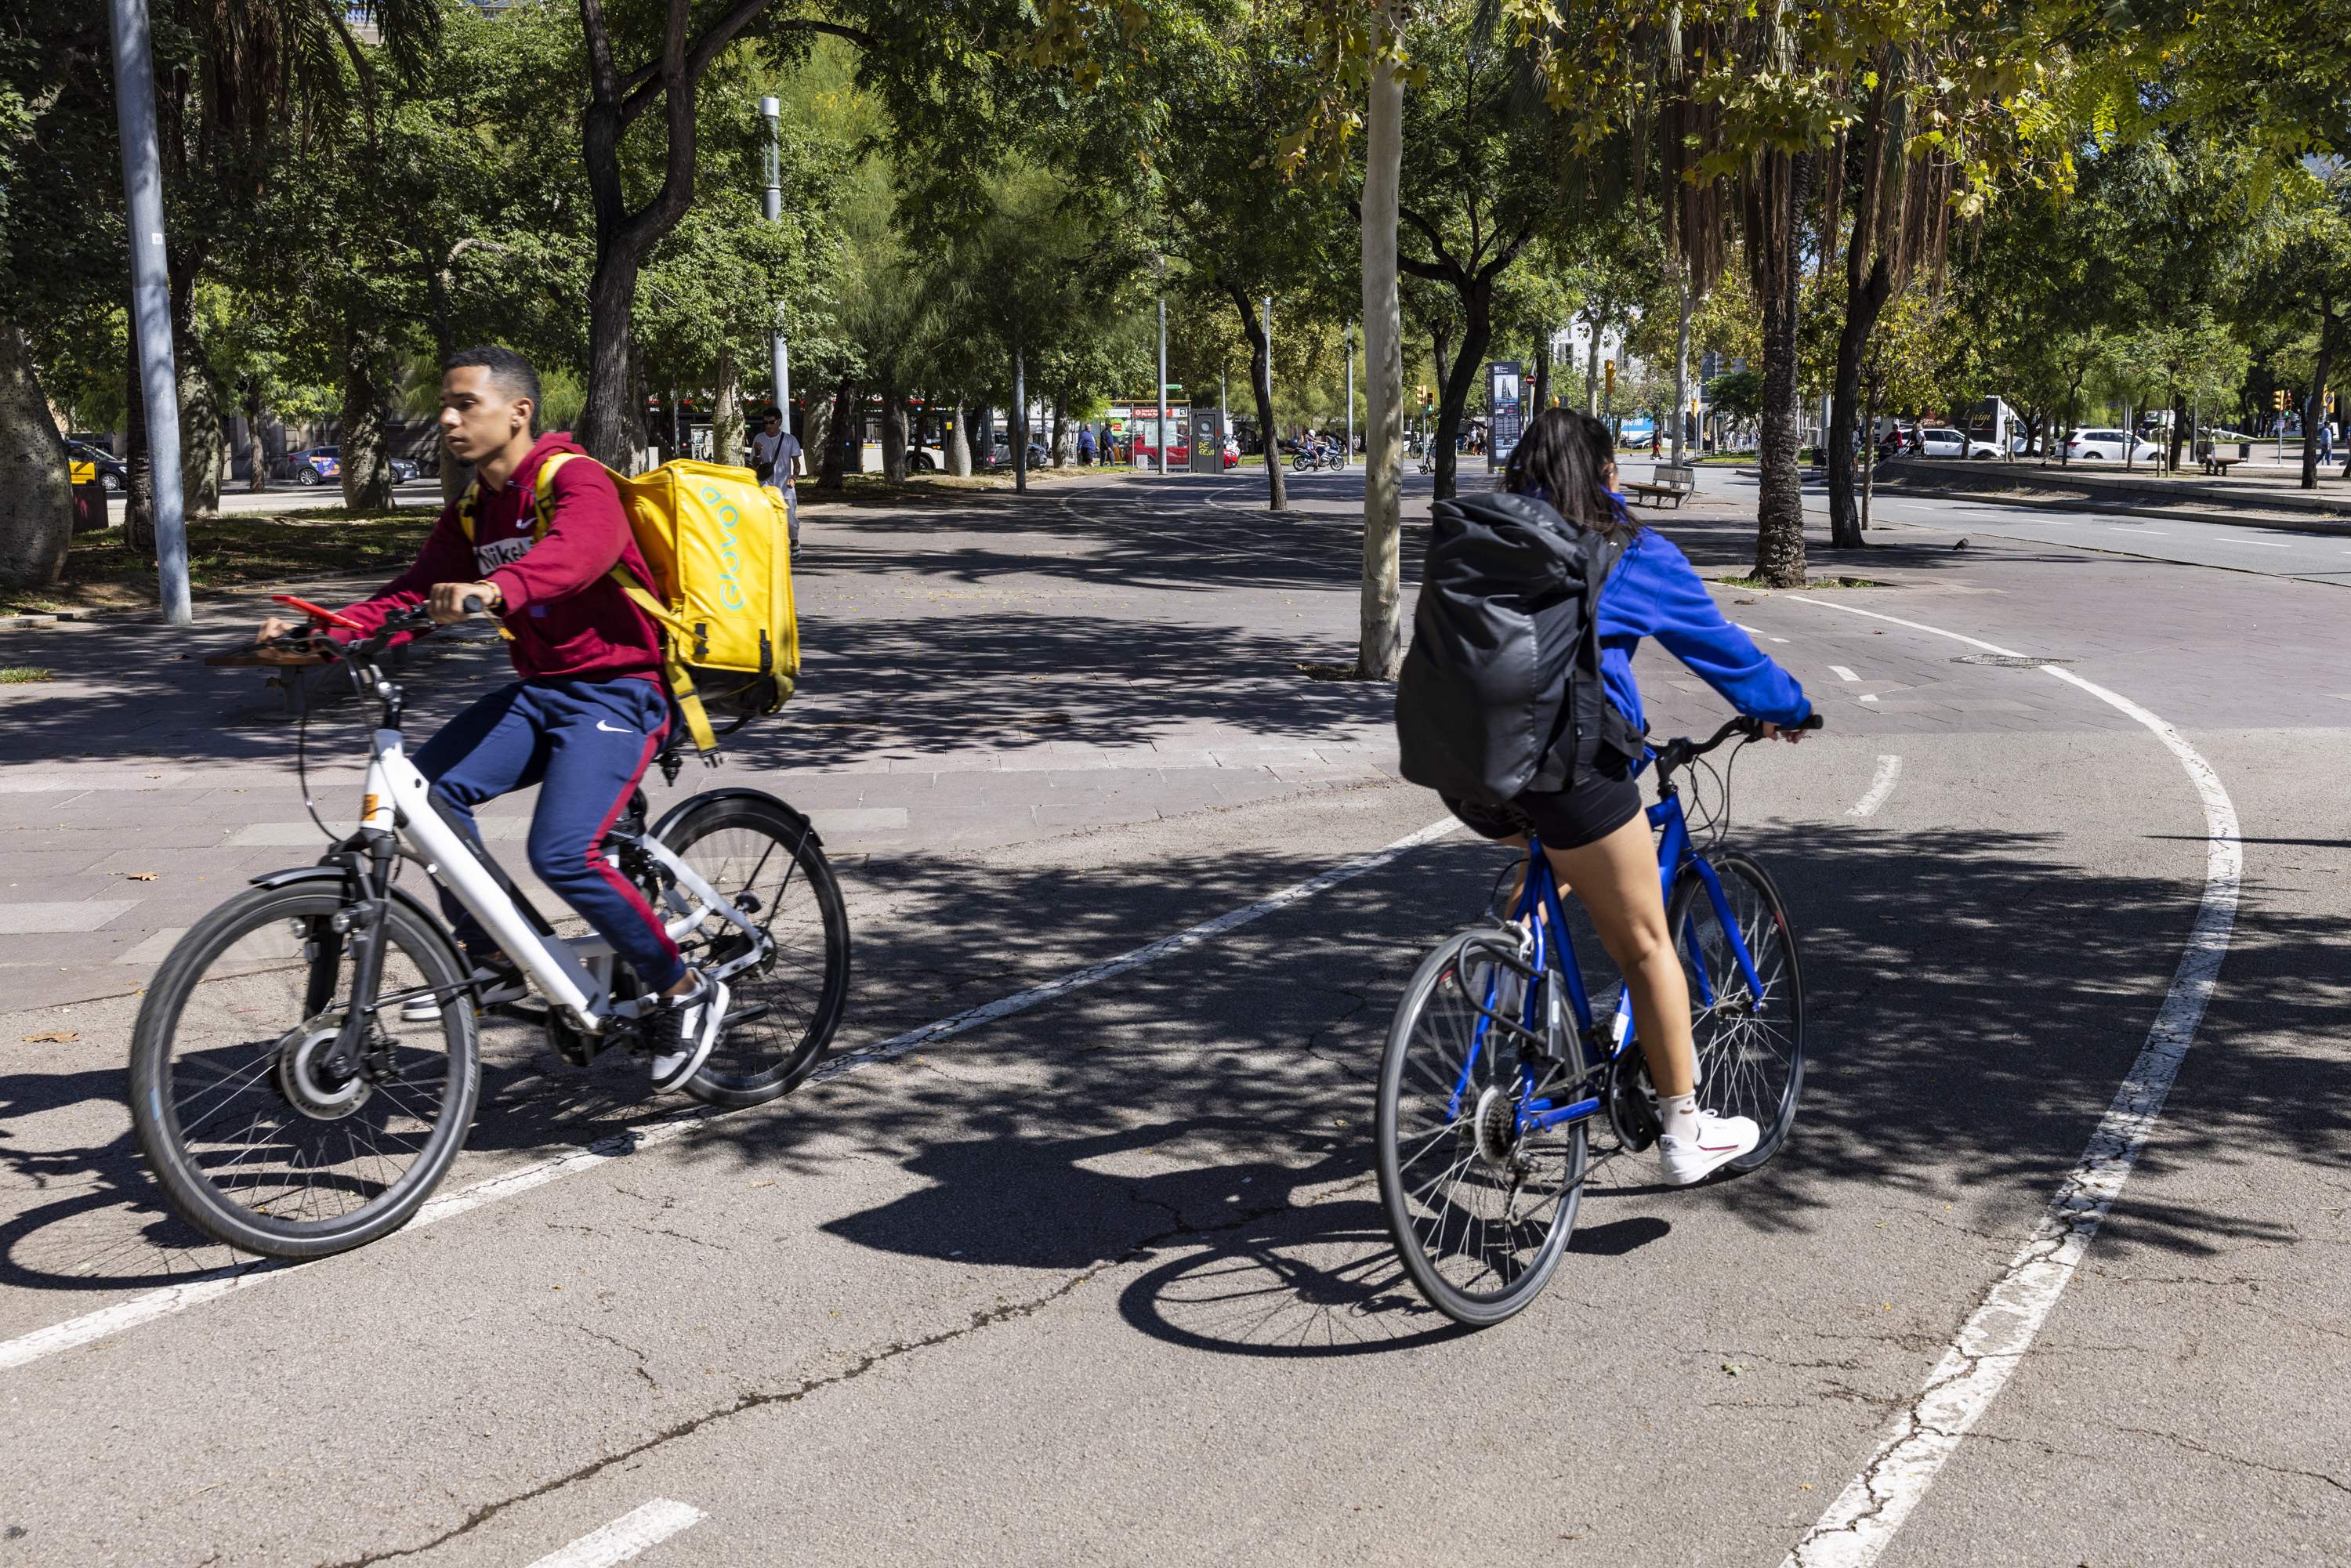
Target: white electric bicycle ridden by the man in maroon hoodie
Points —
{"points": [[307, 1064]]}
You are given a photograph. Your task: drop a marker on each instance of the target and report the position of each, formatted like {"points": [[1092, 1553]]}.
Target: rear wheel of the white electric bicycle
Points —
{"points": [[768, 862]]}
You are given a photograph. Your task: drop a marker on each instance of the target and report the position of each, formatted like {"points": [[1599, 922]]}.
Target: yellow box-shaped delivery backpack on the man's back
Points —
{"points": [[721, 594]]}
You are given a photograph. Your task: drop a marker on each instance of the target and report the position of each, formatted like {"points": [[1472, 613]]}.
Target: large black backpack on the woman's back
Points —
{"points": [[1501, 690]]}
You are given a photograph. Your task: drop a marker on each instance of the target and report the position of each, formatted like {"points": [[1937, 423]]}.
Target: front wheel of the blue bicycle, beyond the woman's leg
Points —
{"points": [[1750, 1045]]}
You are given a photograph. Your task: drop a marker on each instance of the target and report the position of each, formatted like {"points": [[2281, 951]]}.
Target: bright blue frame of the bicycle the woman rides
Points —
{"points": [[1550, 953]]}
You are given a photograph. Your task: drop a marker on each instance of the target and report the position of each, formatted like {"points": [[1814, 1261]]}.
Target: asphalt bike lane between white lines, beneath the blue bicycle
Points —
{"points": [[1038, 1391]]}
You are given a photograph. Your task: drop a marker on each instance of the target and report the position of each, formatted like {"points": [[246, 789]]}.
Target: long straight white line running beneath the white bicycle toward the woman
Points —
{"points": [[669, 1130]]}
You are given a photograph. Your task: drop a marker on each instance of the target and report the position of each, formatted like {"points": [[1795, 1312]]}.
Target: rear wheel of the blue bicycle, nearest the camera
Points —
{"points": [[1478, 1207]]}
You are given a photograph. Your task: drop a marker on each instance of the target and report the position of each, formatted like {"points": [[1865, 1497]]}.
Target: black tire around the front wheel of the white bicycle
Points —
{"points": [[156, 1123]]}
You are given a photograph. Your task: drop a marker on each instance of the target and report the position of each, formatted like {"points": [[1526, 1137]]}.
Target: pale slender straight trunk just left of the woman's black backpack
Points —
{"points": [[1381, 650]]}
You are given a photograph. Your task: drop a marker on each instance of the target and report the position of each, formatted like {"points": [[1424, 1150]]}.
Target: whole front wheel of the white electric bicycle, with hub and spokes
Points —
{"points": [[236, 1111]]}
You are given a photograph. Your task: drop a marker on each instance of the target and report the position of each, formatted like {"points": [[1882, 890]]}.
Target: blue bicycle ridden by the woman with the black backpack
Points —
{"points": [[1499, 1066]]}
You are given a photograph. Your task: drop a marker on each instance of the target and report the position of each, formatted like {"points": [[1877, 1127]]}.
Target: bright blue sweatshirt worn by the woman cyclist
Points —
{"points": [[1656, 594]]}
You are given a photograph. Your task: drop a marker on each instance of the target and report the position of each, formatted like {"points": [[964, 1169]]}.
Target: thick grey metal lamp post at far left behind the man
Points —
{"points": [[152, 300]]}
